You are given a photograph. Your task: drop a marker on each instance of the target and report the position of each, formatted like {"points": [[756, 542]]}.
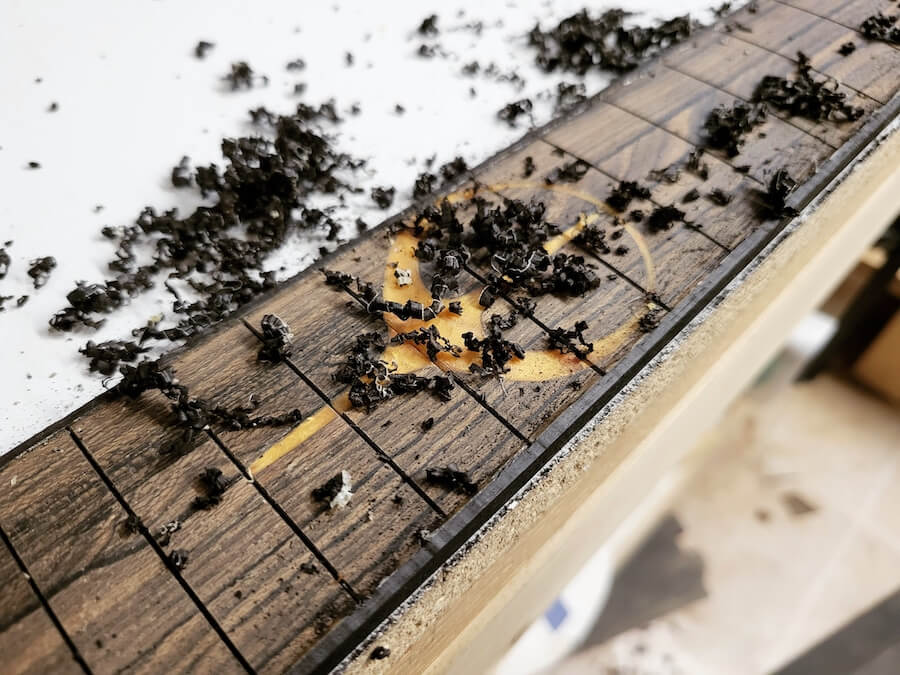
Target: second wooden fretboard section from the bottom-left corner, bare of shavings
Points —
{"points": [[112, 594]]}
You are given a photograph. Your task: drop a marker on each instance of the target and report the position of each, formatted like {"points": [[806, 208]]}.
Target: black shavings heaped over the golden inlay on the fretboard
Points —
{"points": [[510, 238]]}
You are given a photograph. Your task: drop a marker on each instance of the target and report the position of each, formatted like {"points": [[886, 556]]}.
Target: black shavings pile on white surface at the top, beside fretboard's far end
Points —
{"points": [[581, 43]]}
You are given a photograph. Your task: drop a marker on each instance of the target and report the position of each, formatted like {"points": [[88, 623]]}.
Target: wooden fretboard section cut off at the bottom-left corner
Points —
{"points": [[29, 642]]}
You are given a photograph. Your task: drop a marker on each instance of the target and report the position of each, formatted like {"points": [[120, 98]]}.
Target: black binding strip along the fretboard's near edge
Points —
{"points": [[443, 543]]}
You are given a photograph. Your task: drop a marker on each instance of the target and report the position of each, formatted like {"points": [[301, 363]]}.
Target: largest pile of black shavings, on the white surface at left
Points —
{"points": [[218, 253]]}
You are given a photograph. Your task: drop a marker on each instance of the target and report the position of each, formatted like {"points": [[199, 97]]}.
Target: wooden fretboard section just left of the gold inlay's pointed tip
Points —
{"points": [[243, 560]]}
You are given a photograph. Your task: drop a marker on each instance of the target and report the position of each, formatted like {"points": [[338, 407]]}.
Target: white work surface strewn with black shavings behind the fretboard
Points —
{"points": [[133, 99]]}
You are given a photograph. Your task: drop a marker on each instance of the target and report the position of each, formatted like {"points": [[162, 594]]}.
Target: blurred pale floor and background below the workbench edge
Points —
{"points": [[772, 546]]}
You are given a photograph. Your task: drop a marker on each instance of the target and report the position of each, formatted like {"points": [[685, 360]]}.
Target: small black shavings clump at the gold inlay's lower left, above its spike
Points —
{"points": [[373, 380]]}
